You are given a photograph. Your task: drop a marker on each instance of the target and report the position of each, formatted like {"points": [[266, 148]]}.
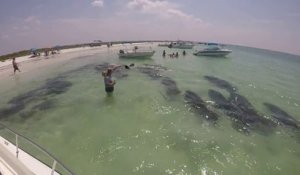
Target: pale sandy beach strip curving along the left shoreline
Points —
{"points": [[27, 64]]}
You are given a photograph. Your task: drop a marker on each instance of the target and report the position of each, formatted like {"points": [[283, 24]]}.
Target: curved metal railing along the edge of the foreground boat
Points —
{"points": [[25, 144]]}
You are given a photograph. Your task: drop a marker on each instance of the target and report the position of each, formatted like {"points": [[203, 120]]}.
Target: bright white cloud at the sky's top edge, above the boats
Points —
{"points": [[163, 9]]}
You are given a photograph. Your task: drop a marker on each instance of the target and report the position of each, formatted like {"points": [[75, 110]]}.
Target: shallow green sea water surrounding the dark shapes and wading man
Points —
{"points": [[142, 130]]}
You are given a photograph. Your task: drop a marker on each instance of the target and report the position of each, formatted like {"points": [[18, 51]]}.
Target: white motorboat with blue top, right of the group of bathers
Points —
{"points": [[213, 51]]}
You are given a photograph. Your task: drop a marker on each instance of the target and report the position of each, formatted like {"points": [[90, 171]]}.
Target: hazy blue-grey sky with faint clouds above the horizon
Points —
{"points": [[271, 24]]}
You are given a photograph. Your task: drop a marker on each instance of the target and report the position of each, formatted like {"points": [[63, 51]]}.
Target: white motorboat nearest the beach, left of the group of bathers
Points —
{"points": [[135, 53]]}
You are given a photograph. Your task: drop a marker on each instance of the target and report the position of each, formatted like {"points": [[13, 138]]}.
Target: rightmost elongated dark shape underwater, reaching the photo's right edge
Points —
{"points": [[282, 116]]}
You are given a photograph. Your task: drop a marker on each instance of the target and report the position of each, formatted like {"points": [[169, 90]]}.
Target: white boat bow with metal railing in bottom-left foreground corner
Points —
{"points": [[14, 160]]}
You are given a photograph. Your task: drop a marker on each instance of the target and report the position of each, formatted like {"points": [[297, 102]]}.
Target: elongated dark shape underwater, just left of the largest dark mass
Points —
{"points": [[199, 106]]}
